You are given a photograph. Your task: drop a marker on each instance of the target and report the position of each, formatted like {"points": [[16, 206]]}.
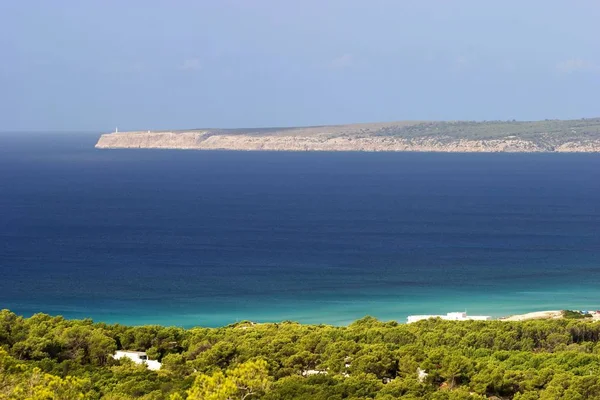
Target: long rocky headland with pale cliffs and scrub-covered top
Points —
{"points": [[581, 135]]}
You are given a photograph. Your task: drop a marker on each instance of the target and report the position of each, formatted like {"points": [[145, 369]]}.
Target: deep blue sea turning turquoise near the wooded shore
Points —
{"points": [[209, 238]]}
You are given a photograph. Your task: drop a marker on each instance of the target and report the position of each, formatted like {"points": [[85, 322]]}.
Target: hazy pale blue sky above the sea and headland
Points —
{"points": [[74, 65]]}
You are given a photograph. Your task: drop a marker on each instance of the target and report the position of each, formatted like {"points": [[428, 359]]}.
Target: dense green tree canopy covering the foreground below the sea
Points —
{"points": [[44, 357]]}
